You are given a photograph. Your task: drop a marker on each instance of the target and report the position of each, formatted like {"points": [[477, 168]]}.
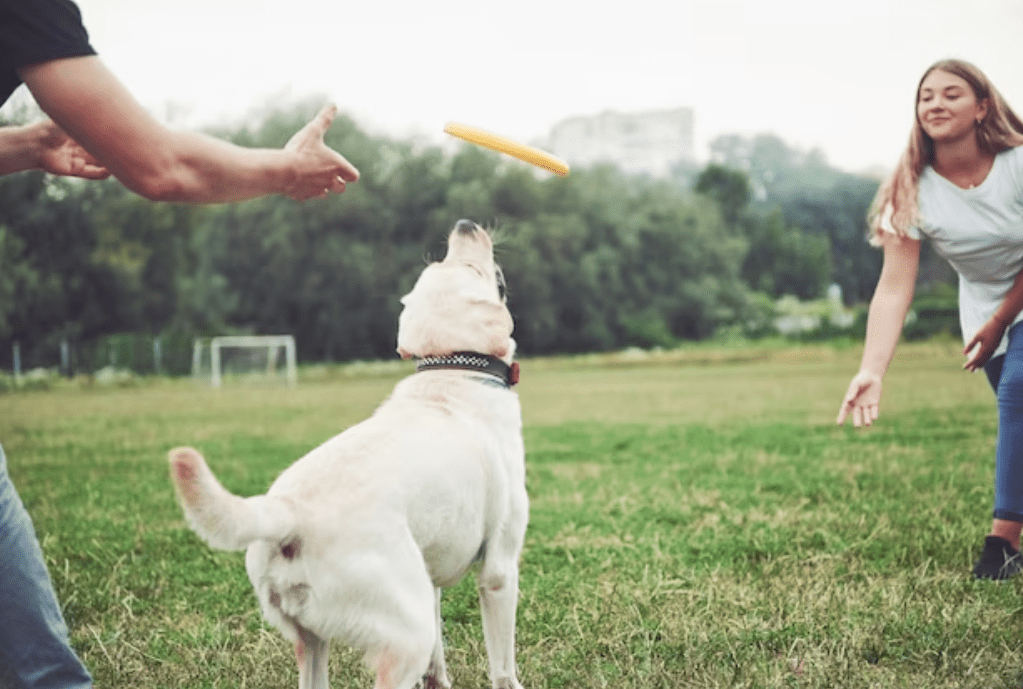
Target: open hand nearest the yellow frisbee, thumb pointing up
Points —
{"points": [[320, 169]]}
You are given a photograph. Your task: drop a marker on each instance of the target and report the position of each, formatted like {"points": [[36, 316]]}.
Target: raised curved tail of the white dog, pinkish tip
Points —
{"points": [[223, 520]]}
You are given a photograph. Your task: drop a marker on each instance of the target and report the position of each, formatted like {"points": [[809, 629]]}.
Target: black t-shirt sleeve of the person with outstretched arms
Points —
{"points": [[38, 31]]}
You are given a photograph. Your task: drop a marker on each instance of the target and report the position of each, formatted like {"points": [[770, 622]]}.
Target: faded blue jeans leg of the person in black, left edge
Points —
{"points": [[35, 652]]}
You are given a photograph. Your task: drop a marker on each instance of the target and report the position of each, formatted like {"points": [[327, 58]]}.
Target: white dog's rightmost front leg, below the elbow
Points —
{"points": [[499, 598]]}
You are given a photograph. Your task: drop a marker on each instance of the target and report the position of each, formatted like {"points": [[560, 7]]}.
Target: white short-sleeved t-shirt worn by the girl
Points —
{"points": [[980, 233]]}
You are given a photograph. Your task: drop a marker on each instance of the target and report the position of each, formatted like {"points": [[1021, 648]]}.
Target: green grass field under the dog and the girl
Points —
{"points": [[697, 521]]}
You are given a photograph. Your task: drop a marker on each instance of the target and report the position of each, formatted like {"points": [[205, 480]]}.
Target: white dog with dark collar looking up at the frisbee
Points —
{"points": [[357, 540]]}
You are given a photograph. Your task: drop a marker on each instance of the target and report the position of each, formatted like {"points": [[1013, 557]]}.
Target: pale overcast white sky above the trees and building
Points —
{"points": [[835, 75]]}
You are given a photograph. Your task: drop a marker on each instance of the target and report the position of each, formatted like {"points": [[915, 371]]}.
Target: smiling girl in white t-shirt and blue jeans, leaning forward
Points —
{"points": [[960, 185]]}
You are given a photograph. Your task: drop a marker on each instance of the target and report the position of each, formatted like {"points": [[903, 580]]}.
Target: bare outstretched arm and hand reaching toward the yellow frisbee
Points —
{"points": [[88, 103]]}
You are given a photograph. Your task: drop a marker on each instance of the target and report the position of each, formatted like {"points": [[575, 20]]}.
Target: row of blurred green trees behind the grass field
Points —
{"points": [[596, 261]]}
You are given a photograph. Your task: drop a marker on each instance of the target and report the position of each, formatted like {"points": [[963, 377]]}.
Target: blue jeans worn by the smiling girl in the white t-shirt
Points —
{"points": [[1006, 376]]}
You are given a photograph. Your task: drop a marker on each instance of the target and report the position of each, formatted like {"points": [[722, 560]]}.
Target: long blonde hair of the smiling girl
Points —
{"points": [[897, 201]]}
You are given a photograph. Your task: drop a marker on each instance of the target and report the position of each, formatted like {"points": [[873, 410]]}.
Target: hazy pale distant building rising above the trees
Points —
{"points": [[651, 144]]}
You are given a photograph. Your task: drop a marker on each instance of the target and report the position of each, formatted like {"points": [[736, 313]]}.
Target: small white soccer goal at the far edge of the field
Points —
{"points": [[254, 358]]}
